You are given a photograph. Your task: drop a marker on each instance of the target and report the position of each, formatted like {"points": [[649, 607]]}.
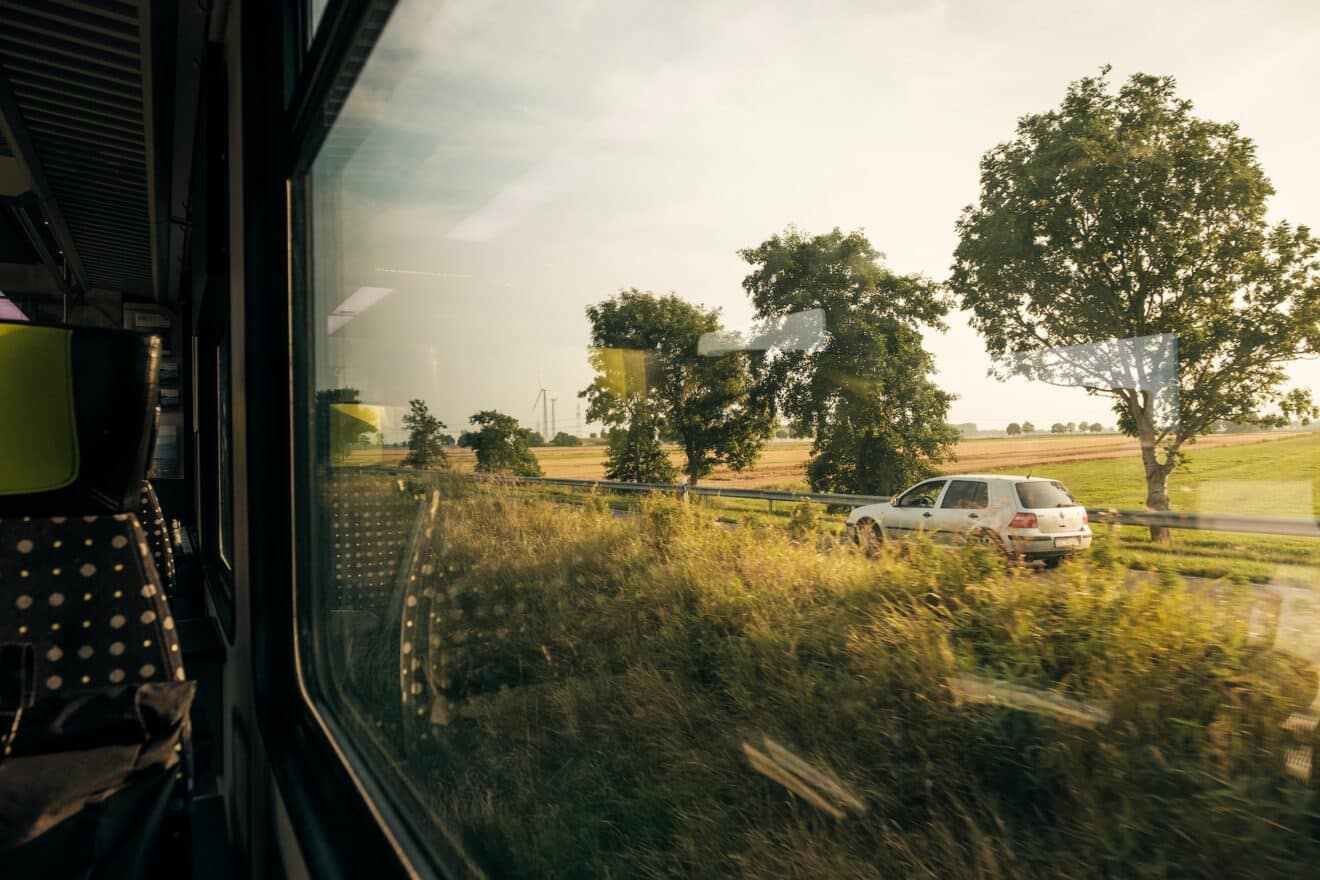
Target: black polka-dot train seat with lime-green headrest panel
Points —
{"points": [[94, 697]]}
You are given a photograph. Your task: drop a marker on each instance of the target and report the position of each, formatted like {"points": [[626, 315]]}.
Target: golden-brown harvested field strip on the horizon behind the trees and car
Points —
{"points": [[782, 462]]}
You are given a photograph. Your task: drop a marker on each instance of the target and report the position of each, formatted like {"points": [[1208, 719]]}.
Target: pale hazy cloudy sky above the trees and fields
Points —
{"points": [[501, 167]]}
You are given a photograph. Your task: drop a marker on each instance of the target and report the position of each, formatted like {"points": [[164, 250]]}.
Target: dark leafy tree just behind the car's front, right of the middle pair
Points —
{"points": [[863, 389]]}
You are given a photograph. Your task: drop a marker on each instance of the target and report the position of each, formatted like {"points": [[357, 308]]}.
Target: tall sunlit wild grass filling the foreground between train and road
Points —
{"points": [[607, 675]]}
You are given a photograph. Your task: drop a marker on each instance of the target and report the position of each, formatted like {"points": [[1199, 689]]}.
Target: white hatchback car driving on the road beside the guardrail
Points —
{"points": [[1024, 517]]}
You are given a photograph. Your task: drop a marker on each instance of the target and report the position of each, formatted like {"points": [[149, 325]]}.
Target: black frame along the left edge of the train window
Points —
{"points": [[348, 821]]}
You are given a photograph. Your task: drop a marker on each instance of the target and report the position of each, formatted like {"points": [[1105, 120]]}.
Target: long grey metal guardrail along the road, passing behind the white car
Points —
{"points": [[1277, 526]]}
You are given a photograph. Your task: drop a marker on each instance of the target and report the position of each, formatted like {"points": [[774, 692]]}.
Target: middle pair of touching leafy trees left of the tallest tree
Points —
{"points": [[863, 391]]}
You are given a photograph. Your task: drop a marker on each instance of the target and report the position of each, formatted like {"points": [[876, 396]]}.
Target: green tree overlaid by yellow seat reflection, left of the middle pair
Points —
{"points": [[647, 358]]}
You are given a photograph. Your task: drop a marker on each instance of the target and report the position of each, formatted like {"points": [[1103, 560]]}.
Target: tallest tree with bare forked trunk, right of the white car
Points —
{"points": [[1121, 245]]}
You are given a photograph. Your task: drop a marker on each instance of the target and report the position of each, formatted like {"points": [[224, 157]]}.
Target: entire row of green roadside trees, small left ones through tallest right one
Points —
{"points": [[1119, 245]]}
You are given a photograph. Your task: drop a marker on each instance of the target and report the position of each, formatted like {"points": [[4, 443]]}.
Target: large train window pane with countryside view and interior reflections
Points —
{"points": [[609, 386]]}
